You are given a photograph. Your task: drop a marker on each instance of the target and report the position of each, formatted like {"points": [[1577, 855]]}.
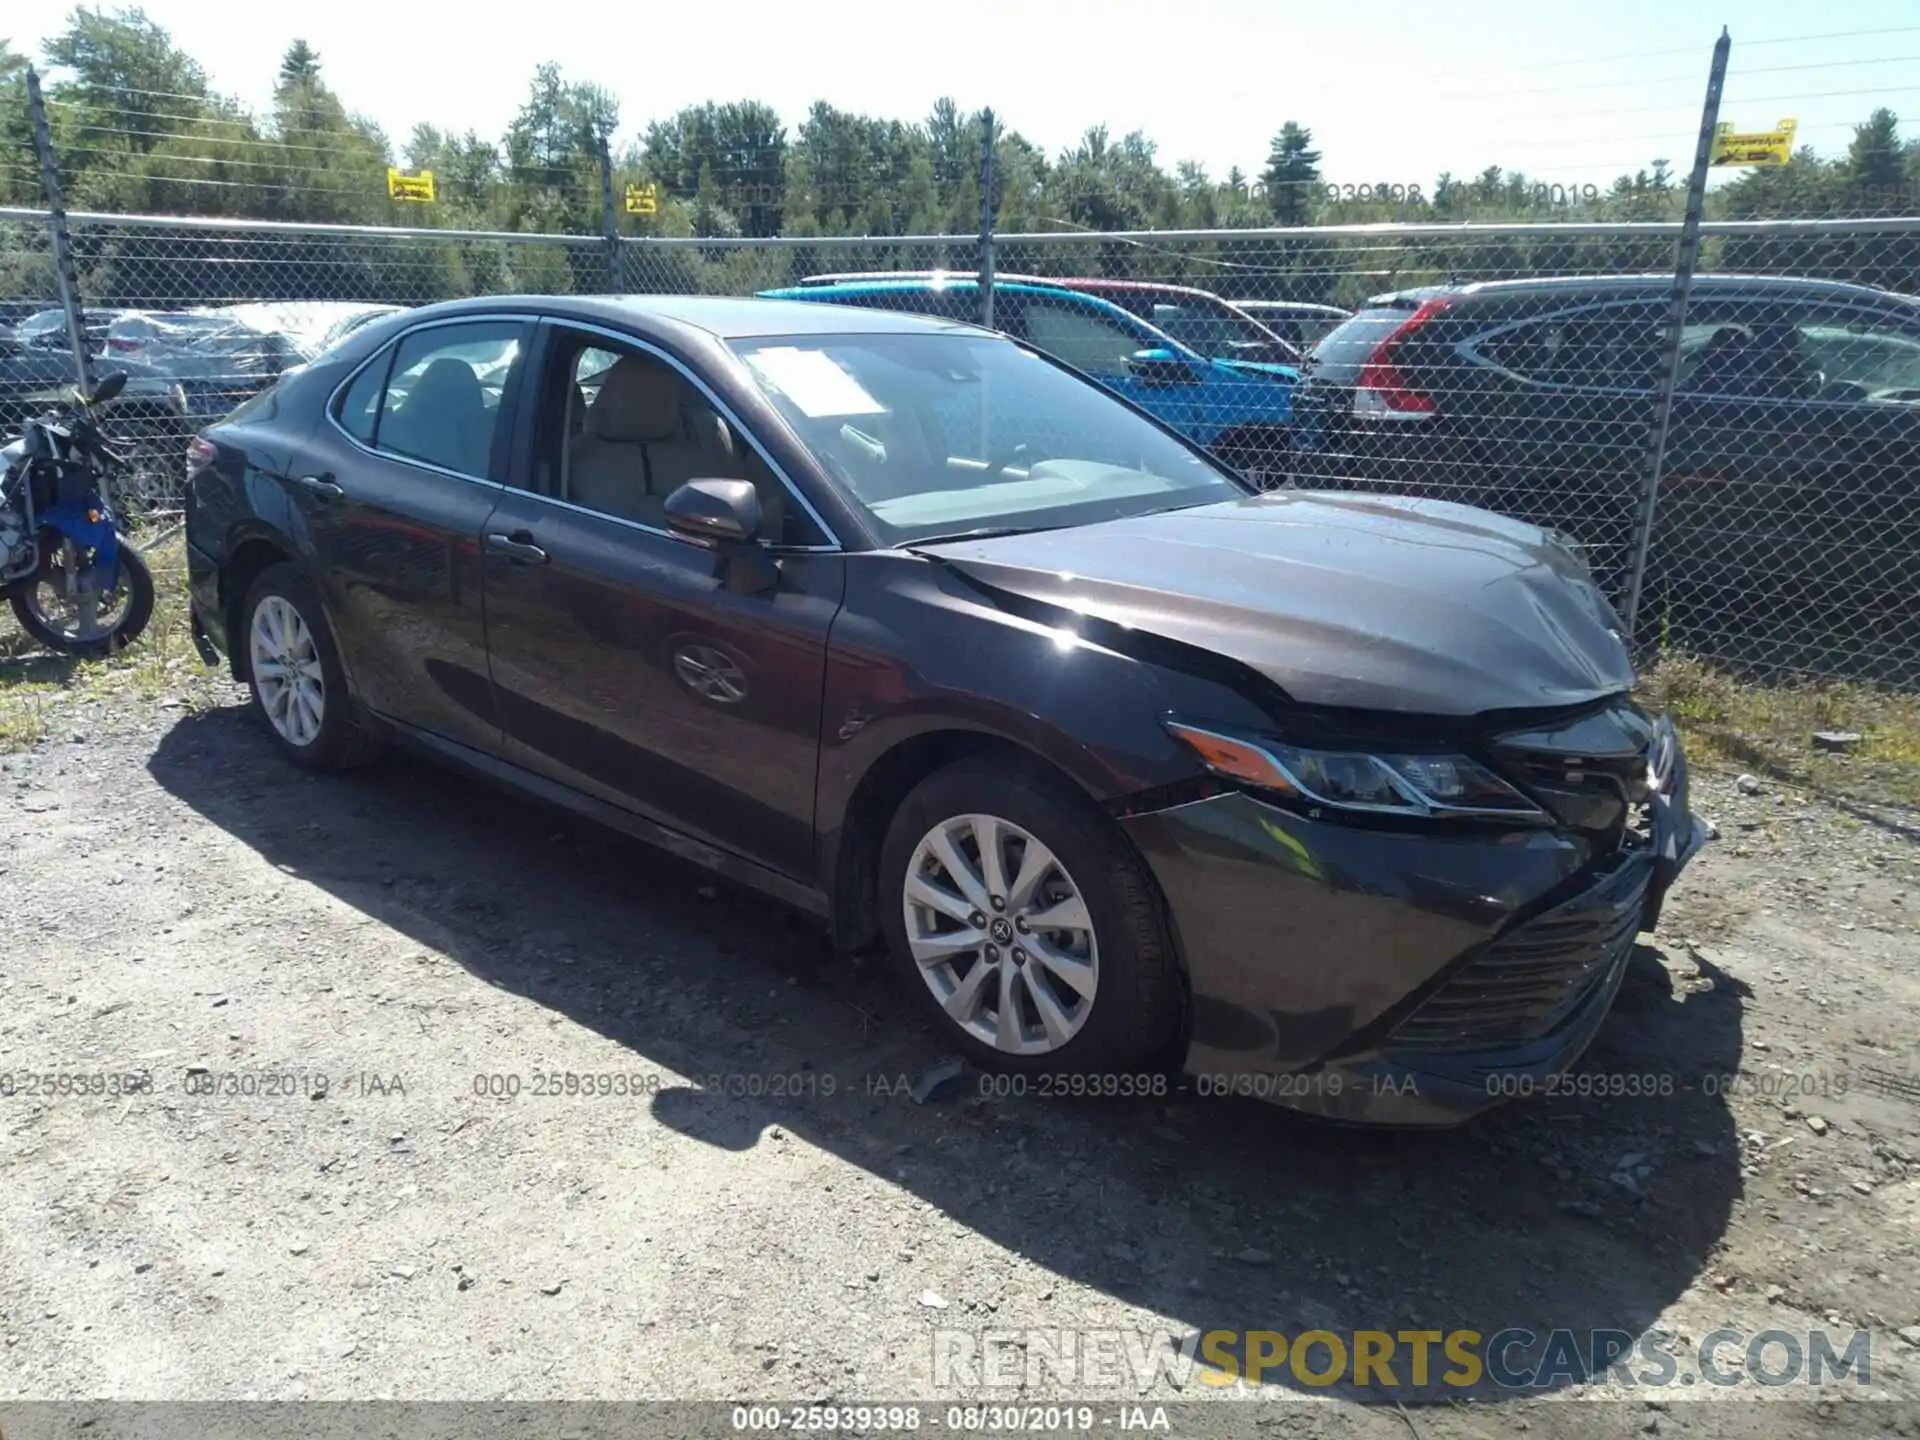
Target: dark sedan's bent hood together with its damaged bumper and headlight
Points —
{"points": [[1428, 819]]}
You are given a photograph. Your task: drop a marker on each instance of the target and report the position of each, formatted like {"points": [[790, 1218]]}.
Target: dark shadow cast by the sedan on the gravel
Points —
{"points": [[1589, 1211]]}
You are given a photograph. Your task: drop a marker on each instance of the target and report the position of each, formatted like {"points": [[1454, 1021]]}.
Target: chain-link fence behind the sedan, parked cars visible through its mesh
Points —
{"points": [[1510, 366]]}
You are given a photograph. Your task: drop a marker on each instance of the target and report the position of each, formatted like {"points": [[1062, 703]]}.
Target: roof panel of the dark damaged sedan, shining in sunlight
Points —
{"points": [[727, 318]]}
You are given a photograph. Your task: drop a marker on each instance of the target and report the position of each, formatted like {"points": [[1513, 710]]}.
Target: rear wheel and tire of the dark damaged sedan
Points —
{"points": [[293, 667]]}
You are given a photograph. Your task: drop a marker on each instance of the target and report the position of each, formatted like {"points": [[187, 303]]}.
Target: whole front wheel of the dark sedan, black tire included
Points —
{"points": [[1097, 992]]}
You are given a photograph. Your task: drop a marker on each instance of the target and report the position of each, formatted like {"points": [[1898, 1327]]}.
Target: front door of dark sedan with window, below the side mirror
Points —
{"points": [[623, 663]]}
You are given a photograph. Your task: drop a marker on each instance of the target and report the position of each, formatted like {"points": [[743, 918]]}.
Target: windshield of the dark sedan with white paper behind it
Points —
{"points": [[938, 435]]}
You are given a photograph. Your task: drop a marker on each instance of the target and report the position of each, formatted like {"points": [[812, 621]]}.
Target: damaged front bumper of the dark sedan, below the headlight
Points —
{"points": [[1393, 976]]}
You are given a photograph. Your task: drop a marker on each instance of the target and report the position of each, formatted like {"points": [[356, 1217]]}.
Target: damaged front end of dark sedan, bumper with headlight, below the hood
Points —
{"points": [[1401, 934]]}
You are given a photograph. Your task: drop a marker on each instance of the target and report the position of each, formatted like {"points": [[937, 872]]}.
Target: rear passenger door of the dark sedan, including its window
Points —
{"points": [[393, 498]]}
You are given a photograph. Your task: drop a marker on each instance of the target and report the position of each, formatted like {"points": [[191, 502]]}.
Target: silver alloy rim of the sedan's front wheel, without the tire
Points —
{"points": [[1001, 934]]}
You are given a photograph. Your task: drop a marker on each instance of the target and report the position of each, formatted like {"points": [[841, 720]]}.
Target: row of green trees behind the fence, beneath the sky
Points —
{"points": [[137, 130]]}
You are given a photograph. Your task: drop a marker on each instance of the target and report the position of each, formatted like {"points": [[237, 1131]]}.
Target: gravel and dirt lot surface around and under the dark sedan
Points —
{"points": [[180, 901]]}
